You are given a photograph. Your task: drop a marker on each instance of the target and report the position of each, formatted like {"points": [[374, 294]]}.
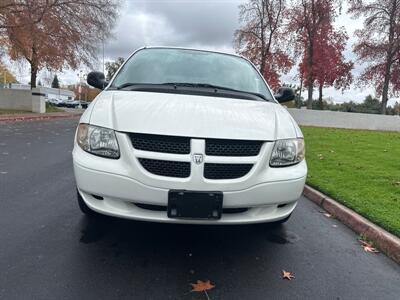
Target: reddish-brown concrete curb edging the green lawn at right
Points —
{"points": [[385, 241]]}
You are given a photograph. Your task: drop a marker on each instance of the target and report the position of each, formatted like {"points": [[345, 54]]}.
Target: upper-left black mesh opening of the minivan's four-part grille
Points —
{"points": [[160, 143]]}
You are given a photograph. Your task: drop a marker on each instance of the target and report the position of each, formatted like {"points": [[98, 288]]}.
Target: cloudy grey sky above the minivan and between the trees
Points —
{"points": [[205, 24]]}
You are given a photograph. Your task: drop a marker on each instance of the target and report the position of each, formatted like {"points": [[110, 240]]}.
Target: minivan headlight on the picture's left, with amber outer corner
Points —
{"points": [[97, 140]]}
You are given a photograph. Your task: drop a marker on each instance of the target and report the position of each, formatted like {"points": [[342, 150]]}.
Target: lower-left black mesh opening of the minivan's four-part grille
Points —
{"points": [[166, 168]]}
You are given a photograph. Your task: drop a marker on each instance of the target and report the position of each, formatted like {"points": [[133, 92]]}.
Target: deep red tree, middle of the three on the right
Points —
{"points": [[310, 21]]}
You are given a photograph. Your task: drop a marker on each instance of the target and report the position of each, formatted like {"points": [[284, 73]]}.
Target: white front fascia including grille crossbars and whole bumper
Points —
{"points": [[267, 194]]}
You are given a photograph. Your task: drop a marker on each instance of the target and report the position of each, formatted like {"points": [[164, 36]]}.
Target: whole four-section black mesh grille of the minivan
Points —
{"points": [[180, 167]]}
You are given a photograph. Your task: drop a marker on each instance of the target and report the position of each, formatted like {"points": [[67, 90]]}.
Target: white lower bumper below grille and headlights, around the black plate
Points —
{"points": [[265, 202]]}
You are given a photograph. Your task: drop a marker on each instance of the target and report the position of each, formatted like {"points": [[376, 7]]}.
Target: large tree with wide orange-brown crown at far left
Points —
{"points": [[55, 33]]}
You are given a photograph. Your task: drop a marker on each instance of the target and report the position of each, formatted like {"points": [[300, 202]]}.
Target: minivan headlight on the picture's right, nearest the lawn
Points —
{"points": [[287, 152]]}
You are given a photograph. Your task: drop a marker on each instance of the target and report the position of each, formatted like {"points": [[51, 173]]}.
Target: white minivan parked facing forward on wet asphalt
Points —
{"points": [[188, 136]]}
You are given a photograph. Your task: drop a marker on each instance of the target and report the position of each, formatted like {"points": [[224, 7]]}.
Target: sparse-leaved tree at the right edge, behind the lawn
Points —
{"points": [[379, 45]]}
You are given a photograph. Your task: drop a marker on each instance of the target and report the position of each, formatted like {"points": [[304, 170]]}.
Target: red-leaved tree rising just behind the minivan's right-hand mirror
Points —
{"points": [[261, 38]]}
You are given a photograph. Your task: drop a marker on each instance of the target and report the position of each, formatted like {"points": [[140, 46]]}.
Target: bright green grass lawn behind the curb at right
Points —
{"points": [[360, 169]]}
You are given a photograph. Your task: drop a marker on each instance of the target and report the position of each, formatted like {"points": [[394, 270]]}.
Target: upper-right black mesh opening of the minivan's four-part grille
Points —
{"points": [[222, 147]]}
